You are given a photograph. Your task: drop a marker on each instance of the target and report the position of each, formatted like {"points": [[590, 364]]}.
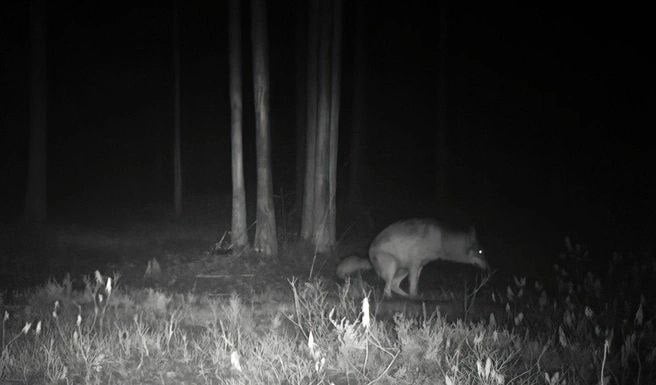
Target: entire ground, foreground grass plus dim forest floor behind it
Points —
{"points": [[186, 309]]}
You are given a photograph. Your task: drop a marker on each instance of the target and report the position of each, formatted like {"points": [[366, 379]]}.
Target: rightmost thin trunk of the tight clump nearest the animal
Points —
{"points": [[335, 89]]}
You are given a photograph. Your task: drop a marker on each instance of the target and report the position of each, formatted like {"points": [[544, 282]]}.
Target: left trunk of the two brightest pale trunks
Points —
{"points": [[239, 235]]}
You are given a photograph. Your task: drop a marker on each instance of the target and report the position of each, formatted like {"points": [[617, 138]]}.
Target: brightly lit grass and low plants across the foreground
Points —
{"points": [[580, 326]]}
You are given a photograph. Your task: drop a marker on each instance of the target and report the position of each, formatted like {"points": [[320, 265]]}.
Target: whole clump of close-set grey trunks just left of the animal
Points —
{"points": [[324, 57]]}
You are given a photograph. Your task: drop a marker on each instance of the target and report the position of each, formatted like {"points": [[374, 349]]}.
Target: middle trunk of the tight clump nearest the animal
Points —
{"points": [[322, 173]]}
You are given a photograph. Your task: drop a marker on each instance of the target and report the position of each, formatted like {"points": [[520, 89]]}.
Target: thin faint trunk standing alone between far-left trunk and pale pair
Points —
{"points": [[177, 158]]}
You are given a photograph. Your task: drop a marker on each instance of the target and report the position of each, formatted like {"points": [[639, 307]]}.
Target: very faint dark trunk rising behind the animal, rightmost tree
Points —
{"points": [[442, 158]]}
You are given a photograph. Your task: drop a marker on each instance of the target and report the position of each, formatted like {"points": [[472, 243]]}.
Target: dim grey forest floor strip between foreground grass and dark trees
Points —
{"points": [[191, 258]]}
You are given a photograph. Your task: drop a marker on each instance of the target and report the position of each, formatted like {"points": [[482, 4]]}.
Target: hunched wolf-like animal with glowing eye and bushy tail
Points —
{"points": [[403, 248]]}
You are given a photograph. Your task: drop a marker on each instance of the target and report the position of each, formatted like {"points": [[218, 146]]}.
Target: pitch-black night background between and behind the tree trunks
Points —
{"points": [[546, 103]]}
